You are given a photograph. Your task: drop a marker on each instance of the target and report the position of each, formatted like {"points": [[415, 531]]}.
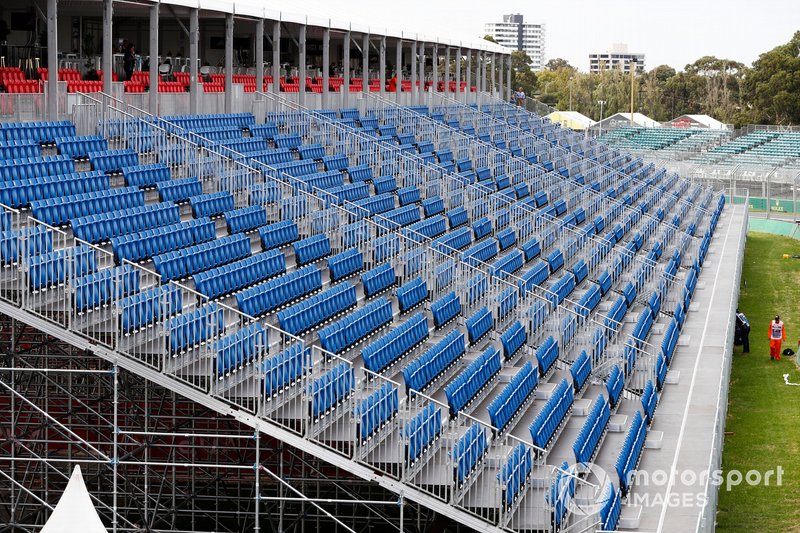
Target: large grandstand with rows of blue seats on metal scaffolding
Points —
{"points": [[428, 302]]}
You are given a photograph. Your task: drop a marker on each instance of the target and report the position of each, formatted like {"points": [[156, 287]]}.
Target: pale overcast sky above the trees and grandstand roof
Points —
{"points": [[673, 32]]}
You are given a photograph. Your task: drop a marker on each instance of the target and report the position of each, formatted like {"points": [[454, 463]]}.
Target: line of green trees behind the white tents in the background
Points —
{"points": [[767, 92]]}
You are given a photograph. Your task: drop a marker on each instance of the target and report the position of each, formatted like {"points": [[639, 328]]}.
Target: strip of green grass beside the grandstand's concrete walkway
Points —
{"points": [[763, 426]]}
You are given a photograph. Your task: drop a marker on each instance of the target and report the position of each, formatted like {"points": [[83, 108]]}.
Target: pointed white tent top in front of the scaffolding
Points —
{"points": [[75, 510]]}
